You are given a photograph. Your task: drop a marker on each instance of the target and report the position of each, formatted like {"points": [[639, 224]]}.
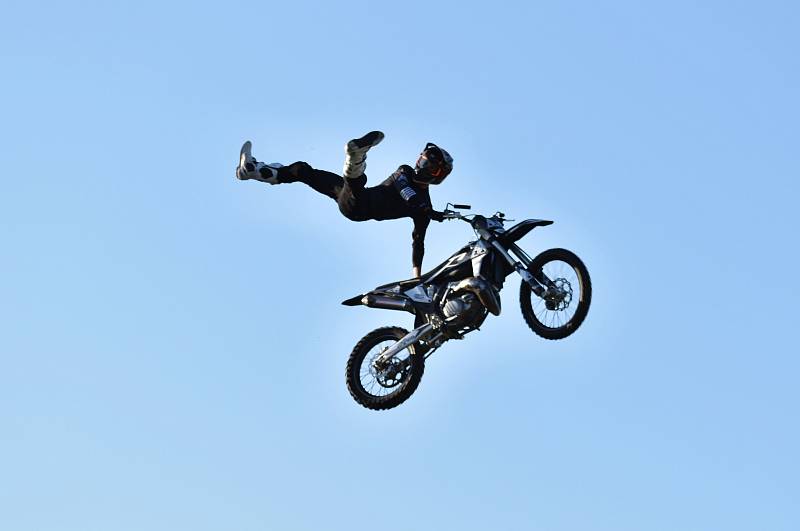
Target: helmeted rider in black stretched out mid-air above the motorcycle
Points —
{"points": [[403, 194]]}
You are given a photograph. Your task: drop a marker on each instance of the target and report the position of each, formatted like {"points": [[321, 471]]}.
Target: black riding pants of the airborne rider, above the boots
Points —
{"points": [[348, 193]]}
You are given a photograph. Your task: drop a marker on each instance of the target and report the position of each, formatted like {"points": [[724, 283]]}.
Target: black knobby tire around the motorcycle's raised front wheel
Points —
{"points": [[534, 315]]}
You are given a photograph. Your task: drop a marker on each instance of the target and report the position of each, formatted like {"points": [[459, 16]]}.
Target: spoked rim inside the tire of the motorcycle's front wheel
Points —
{"points": [[559, 303]]}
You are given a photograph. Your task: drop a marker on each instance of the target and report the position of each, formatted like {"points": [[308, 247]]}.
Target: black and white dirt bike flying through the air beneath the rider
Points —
{"points": [[453, 299]]}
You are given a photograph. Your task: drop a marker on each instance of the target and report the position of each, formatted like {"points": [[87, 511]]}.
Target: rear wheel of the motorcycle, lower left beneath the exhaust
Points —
{"points": [[386, 386]]}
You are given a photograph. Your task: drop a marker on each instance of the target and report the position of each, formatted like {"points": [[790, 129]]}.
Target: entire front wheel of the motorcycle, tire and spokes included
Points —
{"points": [[563, 303]]}
